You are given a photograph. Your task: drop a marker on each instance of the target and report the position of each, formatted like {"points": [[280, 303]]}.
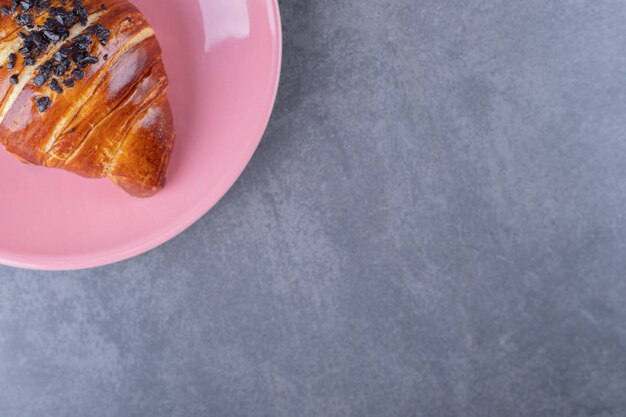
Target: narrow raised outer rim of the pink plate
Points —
{"points": [[102, 258]]}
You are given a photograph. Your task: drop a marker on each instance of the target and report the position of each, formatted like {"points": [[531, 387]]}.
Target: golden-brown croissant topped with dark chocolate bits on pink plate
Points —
{"points": [[83, 88]]}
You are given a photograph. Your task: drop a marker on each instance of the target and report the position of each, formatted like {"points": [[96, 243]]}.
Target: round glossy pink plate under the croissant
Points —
{"points": [[223, 60]]}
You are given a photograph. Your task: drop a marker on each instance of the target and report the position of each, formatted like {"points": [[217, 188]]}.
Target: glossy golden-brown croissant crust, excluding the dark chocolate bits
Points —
{"points": [[115, 122]]}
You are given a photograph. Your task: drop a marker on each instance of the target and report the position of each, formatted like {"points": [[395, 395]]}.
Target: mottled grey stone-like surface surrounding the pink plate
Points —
{"points": [[433, 226]]}
